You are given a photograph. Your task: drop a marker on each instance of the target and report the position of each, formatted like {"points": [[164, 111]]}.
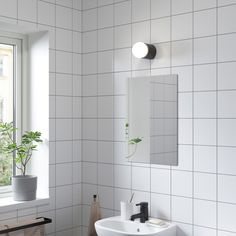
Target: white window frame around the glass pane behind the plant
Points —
{"points": [[19, 43]]}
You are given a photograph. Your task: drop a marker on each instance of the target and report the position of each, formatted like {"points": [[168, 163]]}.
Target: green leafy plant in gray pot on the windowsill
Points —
{"points": [[24, 186]]}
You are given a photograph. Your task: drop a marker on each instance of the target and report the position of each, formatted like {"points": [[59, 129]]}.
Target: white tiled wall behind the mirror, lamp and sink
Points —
{"points": [[196, 40]]}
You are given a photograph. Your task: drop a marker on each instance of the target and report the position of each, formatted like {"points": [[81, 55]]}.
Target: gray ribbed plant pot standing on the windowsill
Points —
{"points": [[24, 187]]}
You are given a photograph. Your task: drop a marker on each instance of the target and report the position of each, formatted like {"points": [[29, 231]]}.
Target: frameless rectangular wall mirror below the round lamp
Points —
{"points": [[152, 126]]}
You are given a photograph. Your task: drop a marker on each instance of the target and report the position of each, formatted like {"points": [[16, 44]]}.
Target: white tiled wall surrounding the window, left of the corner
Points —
{"points": [[62, 18]]}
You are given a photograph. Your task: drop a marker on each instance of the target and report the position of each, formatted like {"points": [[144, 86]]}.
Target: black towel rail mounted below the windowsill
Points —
{"points": [[9, 229]]}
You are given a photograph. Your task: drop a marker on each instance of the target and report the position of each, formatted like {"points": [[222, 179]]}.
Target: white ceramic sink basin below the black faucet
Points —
{"points": [[114, 226]]}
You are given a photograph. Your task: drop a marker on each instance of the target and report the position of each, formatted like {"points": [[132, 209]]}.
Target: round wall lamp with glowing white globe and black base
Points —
{"points": [[144, 50]]}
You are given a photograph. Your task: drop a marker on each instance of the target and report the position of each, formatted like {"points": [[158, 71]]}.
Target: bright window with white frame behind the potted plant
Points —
{"points": [[10, 99]]}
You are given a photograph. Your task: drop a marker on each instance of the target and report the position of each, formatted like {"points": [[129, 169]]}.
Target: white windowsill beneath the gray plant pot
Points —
{"points": [[8, 204]]}
